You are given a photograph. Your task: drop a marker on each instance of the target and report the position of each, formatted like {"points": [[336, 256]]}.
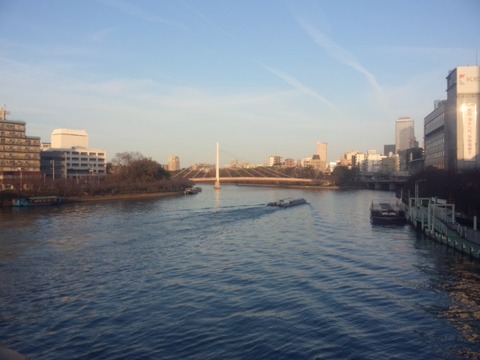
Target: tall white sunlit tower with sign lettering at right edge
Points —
{"points": [[461, 119]]}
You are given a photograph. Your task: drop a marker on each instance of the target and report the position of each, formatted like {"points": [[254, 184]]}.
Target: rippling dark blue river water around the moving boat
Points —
{"points": [[219, 275]]}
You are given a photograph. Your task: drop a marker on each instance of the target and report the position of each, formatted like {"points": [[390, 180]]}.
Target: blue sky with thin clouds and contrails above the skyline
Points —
{"points": [[261, 78]]}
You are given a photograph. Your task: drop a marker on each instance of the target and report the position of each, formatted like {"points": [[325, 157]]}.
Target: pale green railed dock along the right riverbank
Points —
{"points": [[437, 219]]}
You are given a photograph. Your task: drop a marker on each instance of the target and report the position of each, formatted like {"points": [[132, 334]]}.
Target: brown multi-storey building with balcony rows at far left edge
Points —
{"points": [[19, 154]]}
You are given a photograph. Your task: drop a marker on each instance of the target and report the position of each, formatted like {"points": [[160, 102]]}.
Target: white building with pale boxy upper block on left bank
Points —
{"points": [[69, 156]]}
